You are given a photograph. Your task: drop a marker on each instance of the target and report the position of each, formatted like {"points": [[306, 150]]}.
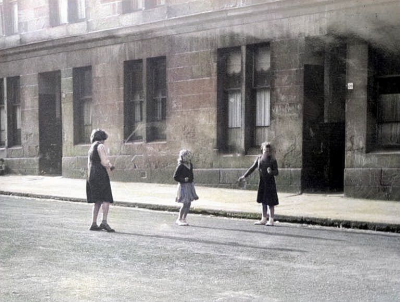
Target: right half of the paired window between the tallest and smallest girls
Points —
{"points": [[157, 94]]}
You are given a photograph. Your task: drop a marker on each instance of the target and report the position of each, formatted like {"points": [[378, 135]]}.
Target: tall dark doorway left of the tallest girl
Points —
{"points": [[50, 124]]}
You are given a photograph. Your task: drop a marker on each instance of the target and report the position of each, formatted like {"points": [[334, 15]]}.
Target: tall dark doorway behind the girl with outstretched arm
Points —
{"points": [[324, 119]]}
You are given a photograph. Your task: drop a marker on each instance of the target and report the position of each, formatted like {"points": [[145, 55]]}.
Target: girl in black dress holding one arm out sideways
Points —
{"points": [[267, 194]]}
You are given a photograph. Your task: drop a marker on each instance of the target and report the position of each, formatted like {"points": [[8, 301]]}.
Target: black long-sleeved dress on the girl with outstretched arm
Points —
{"points": [[267, 193]]}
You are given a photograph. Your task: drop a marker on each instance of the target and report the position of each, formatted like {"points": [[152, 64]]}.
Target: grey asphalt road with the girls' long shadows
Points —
{"points": [[47, 253]]}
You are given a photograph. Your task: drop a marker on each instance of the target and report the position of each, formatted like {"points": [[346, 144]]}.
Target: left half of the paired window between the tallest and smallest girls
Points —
{"points": [[134, 100]]}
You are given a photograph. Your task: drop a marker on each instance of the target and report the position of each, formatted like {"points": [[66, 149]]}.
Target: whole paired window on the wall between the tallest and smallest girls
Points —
{"points": [[145, 100]]}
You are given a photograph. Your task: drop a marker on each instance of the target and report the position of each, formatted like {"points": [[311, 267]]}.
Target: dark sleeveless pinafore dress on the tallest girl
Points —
{"points": [[98, 187]]}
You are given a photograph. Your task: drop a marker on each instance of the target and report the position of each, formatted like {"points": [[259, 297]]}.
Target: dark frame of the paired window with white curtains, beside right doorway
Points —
{"points": [[232, 138]]}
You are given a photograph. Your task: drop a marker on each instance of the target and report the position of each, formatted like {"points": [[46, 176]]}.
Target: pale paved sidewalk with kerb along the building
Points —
{"points": [[322, 209]]}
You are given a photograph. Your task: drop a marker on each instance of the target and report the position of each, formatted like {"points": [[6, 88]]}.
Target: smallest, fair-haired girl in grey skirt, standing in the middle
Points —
{"points": [[186, 192]]}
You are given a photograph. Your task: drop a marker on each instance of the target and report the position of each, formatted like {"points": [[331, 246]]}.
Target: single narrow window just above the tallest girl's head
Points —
{"points": [[82, 79]]}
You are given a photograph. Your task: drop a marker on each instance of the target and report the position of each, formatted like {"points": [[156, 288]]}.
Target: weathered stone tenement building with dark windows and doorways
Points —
{"points": [[320, 79]]}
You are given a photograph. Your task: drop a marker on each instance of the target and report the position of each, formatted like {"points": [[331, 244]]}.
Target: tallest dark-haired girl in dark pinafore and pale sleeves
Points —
{"points": [[98, 188]]}
